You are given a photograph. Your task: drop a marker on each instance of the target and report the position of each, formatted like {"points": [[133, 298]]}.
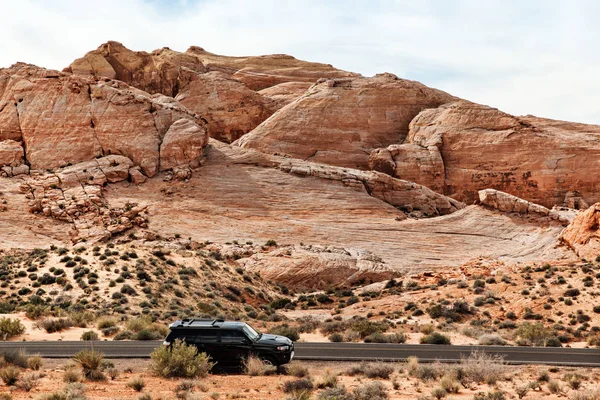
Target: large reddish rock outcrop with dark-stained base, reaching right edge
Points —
{"points": [[462, 147]]}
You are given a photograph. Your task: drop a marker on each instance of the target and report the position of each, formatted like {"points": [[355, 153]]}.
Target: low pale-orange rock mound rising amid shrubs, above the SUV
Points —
{"points": [[318, 267]]}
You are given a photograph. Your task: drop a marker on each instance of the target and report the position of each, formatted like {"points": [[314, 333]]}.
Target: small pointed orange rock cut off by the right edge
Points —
{"points": [[583, 234]]}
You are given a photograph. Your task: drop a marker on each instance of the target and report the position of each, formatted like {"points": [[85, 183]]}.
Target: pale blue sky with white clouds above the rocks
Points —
{"points": [[535, 57]]}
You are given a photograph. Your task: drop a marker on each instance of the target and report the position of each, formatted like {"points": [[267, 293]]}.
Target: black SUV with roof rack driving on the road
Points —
{"points": [[229, 342]]}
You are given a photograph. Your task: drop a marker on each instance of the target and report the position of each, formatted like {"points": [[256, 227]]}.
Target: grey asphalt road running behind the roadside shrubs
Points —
{"points": [[337, 352]]}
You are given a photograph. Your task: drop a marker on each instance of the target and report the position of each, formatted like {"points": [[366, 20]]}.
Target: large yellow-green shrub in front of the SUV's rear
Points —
{"points": [[180, 361]]}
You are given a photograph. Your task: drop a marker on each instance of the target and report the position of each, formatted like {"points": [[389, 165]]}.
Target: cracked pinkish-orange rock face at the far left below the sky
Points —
{"points": [[65, 119]]}
